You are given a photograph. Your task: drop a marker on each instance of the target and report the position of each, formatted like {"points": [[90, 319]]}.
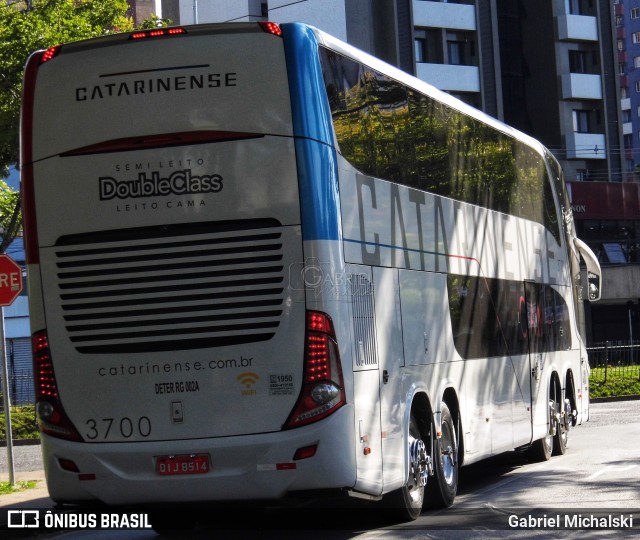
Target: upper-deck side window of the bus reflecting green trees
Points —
{"points": [[387, 130]]}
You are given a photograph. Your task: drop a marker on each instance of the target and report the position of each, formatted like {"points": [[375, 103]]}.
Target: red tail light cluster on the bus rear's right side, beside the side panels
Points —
{"points": [[323, 385]]}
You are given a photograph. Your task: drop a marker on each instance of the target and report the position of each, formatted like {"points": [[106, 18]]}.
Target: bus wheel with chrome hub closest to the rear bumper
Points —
{"points": [[406, 502]]}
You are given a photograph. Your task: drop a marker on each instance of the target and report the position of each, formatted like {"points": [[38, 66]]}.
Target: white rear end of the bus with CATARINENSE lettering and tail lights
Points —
{"points": [[173, 361]]}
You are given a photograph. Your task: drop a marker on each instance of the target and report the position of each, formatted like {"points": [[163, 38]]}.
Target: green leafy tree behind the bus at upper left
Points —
{"points": [[26, 26]]}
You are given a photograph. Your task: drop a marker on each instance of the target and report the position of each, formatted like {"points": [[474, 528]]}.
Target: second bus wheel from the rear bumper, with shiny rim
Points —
{"points": [[442, 492]]}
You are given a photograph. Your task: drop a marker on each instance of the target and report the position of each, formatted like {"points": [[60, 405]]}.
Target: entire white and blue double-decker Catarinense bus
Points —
{"points": [[264, 264]]}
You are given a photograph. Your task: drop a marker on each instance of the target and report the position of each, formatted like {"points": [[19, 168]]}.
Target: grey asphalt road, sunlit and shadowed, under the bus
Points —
{"points": [[504, 497]]}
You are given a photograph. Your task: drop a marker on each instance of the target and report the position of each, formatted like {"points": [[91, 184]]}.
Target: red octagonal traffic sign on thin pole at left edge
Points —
{"points": [[10, 288]]}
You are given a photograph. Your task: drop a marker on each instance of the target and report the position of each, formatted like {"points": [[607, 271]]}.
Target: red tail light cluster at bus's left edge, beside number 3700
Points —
{"points": [[51, 416]]}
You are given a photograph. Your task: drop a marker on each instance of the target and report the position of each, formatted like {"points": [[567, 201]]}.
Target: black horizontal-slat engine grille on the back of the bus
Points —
{"points": [[171, 288]]}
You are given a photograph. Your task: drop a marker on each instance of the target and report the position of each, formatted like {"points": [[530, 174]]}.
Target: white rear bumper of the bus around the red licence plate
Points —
{"points": [[252, 467]]}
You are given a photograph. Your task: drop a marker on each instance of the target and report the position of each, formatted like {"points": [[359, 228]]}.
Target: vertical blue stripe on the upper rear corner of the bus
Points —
{"points": [[313, 131]]}
